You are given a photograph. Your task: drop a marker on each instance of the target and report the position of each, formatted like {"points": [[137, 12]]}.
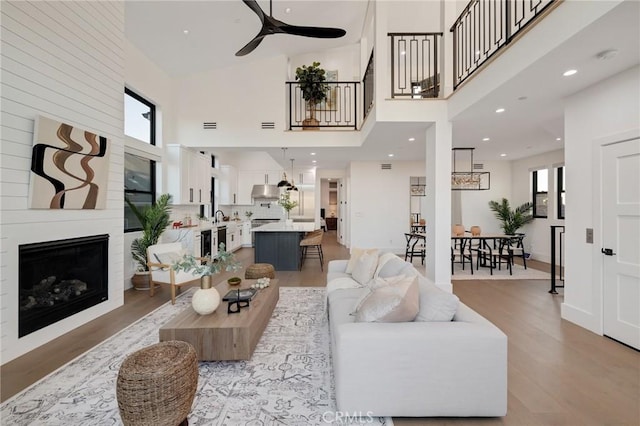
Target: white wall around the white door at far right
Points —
{"points": [[604, 110]]}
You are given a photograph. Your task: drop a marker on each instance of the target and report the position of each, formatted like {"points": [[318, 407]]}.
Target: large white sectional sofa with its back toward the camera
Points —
{"points": [[418, 368]]}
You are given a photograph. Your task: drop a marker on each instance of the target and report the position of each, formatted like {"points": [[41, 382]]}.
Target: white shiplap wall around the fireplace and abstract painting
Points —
{"points": [[63, 60]]}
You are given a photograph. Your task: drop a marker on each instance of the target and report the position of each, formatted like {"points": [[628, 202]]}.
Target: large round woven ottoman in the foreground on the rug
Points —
{"points": [[156, 385]]}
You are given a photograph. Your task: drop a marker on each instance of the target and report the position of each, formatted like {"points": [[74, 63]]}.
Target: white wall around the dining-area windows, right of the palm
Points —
{"points": [[538, 239]]}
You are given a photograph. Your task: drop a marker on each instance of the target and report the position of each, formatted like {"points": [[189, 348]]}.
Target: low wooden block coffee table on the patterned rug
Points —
{"points": [[221, 336]]}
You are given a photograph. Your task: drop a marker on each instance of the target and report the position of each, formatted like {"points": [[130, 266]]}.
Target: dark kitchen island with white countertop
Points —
{"points": [[279, 244]]}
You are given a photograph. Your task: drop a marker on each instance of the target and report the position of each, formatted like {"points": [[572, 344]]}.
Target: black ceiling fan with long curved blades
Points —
{"points": [[271, 25]]}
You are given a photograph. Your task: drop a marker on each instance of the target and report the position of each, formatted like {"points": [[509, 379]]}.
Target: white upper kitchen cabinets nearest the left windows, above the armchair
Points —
{"points": [[188, 176]]}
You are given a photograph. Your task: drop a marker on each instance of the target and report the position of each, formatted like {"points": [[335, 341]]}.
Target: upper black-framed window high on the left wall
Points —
{"points": [[139, 117]]}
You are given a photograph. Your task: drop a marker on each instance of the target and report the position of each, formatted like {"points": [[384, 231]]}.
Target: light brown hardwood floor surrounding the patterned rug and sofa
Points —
{"points": [[558, 373]]}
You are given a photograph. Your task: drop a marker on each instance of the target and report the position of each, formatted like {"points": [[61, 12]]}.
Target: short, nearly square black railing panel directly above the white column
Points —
{"points": [[414, 65]]}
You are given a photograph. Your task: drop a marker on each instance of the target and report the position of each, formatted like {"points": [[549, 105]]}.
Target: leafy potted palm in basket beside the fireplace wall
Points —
{"points": [[154, 220]]}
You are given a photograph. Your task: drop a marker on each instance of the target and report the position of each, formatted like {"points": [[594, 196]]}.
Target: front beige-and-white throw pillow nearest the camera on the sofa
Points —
{"points": [[398, 302]]}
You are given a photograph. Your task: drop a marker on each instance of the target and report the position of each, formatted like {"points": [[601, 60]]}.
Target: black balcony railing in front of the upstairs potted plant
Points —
{"points": [[339, 110]]}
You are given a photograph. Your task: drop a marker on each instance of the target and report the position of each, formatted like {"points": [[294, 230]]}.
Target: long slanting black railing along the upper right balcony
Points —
{"points": [[486, 26]]}
